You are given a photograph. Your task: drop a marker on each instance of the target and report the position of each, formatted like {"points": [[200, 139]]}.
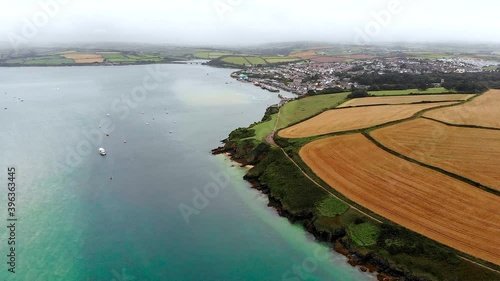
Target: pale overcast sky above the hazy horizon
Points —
{"points": [[243, 22]]}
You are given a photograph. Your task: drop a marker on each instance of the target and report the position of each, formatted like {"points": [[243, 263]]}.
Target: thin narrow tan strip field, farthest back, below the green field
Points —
{"points": [[404, 99]]}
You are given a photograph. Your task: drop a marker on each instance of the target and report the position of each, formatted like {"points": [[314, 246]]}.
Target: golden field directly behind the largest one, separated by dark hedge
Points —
{"points": [[471, 153]]}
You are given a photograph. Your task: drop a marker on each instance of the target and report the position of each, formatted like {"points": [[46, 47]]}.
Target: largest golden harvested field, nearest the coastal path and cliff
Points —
{"points": [[428, 202]]}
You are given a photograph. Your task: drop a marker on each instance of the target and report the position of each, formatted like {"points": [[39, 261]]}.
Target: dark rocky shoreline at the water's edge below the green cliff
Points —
{"points": [[365, 262]]}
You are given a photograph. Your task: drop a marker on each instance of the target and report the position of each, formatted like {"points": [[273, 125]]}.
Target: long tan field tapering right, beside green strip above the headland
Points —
{"points": [[347, 119]]}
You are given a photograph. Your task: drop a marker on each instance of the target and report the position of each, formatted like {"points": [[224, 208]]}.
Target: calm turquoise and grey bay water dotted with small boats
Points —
{"points": [[76, 223]]}
